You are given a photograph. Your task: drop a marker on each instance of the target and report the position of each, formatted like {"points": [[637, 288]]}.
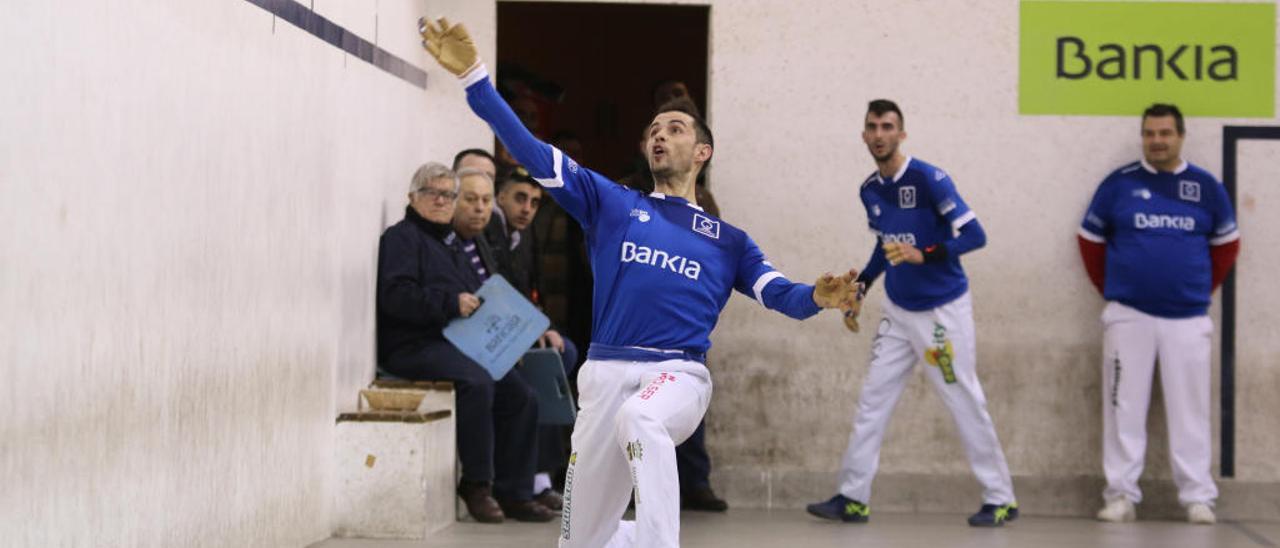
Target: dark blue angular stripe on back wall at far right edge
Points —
{"points": [[1233, 135]]}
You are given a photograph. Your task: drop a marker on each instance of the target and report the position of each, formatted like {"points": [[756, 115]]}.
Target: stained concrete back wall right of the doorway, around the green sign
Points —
{"points": [[785, 394]]}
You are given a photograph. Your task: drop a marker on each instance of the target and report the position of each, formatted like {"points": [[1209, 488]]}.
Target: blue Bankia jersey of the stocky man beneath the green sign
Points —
{"points": [[1159, 227]]}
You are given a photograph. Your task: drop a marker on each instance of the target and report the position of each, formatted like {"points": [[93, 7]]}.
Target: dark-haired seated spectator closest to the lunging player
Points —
{"points": [[515, 248]]}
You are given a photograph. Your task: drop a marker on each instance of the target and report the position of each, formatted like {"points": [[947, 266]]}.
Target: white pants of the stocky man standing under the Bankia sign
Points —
{"points": [[1133, 341]]}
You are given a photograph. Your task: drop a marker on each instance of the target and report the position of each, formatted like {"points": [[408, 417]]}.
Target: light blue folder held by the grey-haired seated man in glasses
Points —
{"points": [[500, 332]]}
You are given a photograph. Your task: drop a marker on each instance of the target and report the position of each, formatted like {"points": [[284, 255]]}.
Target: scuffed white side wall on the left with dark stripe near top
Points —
{"points": [[191, 195]]}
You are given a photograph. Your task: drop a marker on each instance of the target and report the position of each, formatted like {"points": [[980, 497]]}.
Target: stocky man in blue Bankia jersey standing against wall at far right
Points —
{"points": [[1159, 238]]}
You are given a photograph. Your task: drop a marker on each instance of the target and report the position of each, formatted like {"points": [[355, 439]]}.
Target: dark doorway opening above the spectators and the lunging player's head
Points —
{"points": [[591, 68]]}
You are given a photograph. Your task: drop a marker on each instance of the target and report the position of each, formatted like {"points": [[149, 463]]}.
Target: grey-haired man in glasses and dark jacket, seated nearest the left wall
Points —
{"points": [[424, 282]]}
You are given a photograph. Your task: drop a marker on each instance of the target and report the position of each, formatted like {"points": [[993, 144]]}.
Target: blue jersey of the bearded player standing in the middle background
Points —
{"points": [[918, 207]]}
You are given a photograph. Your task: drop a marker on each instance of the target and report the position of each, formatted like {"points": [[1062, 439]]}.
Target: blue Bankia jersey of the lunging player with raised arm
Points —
{"points": [[664, 268]]}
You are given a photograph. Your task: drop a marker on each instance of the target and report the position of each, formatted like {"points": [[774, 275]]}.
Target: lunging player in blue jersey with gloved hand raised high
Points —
{"points": [[664, 271]]}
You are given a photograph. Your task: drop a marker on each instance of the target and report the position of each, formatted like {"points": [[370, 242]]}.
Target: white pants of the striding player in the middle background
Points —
{"points": [[944, 339]]}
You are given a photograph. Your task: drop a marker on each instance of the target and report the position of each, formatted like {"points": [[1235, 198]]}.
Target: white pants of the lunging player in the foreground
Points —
{"points": [[632, 418]]}
